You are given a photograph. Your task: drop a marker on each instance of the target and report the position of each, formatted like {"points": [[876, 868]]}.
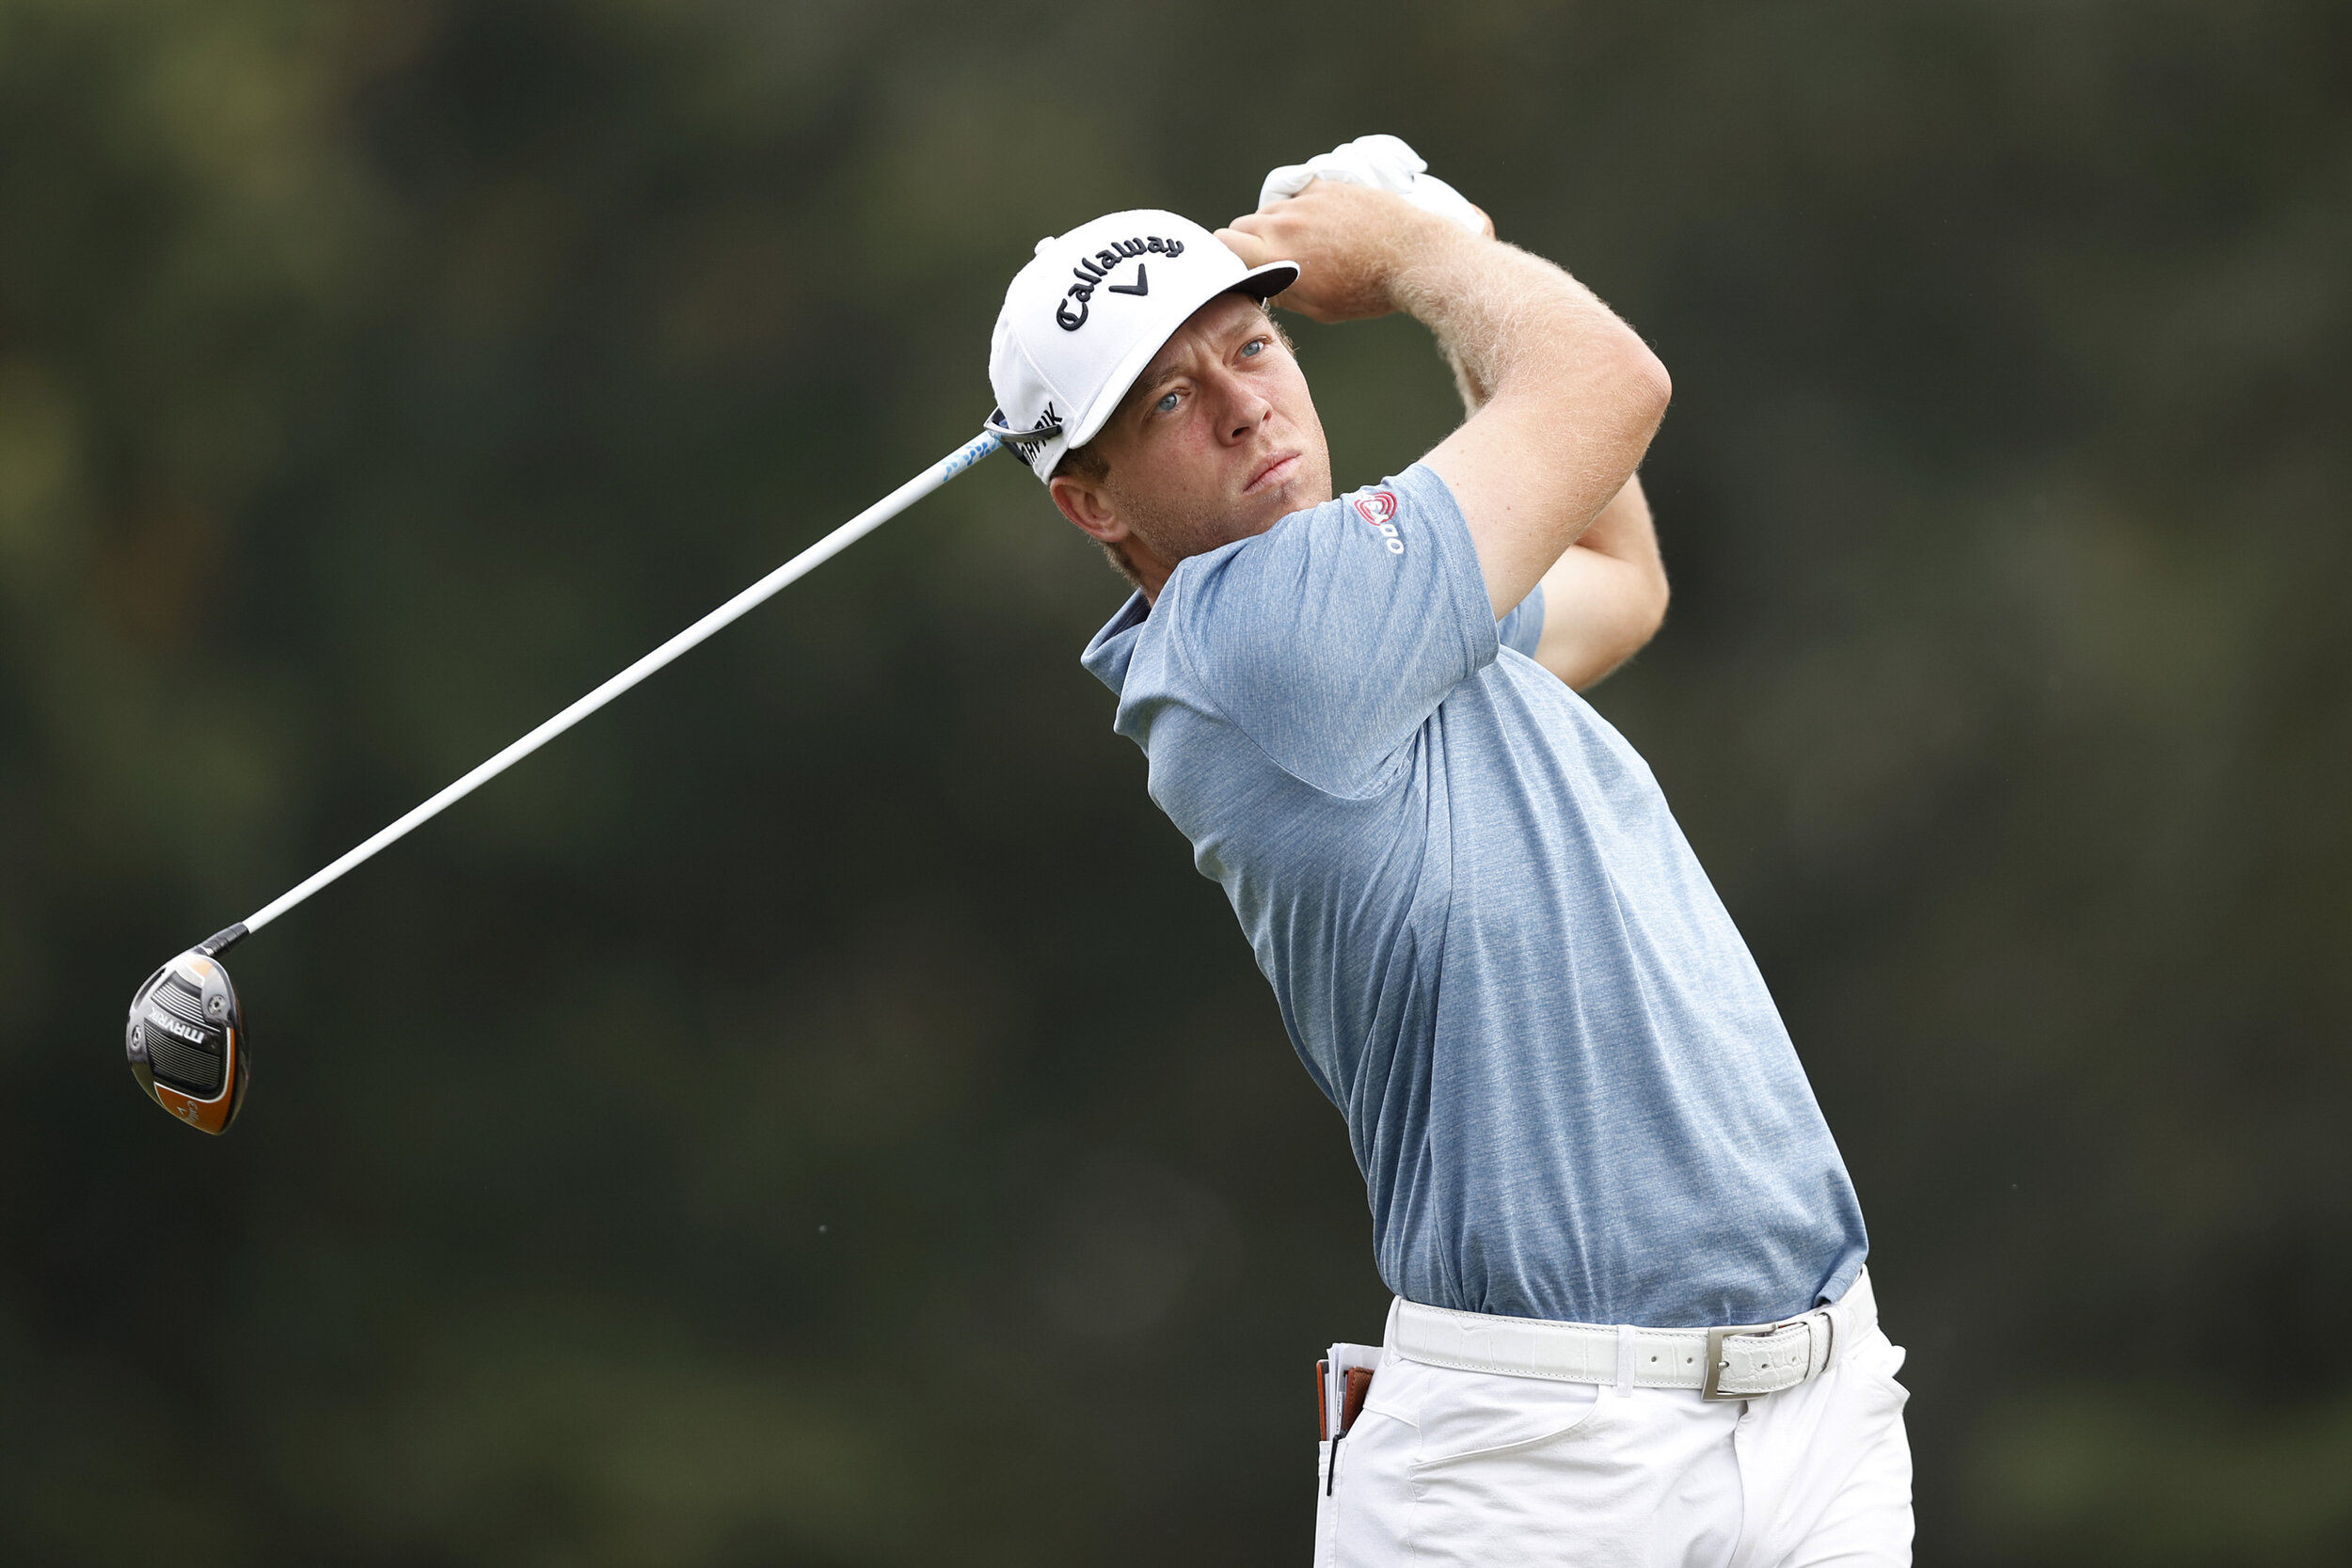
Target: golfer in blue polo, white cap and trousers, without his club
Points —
{"points": [[1631, 1320]]}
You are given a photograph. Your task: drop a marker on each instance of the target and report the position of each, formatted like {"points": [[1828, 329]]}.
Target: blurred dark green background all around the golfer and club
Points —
{"points": [[817, 1115]]}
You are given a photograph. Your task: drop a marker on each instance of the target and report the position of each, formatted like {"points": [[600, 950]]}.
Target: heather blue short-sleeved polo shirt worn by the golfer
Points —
{"points": [[1563, 1076]]}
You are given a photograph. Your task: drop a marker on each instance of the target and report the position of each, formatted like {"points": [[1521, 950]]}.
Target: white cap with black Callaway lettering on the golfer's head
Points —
{"points": [[1090, 311]]}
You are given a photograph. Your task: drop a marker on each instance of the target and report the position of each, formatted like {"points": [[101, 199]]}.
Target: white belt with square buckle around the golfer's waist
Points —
{"points": [[1739, 1362]]}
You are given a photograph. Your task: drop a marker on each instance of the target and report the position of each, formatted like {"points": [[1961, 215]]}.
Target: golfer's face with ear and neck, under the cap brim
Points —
{"points": [[1215, 443]]}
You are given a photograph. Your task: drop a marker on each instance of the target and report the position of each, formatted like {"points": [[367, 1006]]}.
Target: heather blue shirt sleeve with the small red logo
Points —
{"points": [[1335, 636]]}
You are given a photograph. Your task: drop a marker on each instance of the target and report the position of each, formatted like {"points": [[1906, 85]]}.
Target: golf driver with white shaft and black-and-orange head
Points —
{"points": [[187, 1036]]}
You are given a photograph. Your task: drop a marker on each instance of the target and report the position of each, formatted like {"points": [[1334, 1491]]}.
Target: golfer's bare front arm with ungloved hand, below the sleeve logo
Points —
{"points": [[1565, 394]]}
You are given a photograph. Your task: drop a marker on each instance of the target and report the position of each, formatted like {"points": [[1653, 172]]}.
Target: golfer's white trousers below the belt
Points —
{"points": [[1504, 1473]]}
